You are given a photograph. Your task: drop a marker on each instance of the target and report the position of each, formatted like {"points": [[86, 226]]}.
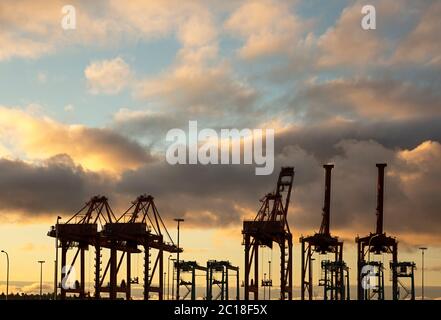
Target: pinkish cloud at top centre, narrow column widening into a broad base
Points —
{"points": [[198, 83]]}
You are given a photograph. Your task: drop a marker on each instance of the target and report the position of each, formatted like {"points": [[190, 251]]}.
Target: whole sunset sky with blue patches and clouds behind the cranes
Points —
{"points": [[85, 111]]}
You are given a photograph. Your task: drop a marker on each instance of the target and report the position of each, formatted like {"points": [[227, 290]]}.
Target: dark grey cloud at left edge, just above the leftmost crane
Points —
{"points": [[56, 186]]}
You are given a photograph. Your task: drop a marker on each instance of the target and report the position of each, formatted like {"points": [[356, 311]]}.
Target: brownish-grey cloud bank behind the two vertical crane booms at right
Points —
{"points": [[411, 201]]}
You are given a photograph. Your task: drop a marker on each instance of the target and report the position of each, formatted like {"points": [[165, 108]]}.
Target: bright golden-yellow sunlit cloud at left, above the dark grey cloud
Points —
{"points": [[33, 137]]}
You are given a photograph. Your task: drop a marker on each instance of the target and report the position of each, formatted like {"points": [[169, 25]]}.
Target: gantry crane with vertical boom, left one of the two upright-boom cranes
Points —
{"points": [[335, 272]]}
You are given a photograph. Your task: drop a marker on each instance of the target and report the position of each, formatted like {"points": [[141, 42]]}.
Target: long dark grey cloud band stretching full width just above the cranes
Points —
{"points": [[218, 196]]}
